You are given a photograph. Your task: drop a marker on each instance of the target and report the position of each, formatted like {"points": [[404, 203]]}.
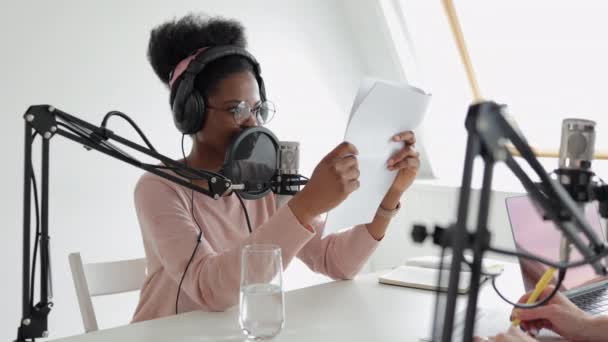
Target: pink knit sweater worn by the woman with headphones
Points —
{"points": [[212, 281]]}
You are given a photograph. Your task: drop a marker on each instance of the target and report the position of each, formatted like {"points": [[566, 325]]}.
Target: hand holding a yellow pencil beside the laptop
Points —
{"points": [[561, 316]]}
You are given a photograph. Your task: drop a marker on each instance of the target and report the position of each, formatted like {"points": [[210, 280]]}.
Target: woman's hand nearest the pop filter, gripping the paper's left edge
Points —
{"points": [[333, 179]]}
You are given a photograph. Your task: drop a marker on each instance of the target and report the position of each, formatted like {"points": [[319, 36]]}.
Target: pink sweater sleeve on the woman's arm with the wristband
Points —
{"points": [[340, 255]]}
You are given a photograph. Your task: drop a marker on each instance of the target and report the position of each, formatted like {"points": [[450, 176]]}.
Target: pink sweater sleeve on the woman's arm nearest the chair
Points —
{"points": [[213, 277]]}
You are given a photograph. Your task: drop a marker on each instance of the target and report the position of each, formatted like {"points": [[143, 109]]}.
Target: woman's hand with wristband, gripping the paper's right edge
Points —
{"points": [[406, 160]]}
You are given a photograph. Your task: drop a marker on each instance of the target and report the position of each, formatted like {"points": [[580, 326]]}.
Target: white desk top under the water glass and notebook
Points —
{"points": [[357, 310]]}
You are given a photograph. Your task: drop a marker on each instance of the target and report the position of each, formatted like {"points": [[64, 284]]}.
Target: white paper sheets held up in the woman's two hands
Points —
{"points": [[379, 112]]}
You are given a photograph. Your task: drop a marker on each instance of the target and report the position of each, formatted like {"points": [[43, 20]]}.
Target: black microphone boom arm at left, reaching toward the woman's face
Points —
{"points": [[47, 121]]}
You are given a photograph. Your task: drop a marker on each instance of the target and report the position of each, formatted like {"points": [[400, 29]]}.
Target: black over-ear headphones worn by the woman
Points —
{"points": [[188, 104]]}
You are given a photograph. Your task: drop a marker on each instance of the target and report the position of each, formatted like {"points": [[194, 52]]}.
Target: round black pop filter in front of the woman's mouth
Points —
{"points": [[251, 160]]}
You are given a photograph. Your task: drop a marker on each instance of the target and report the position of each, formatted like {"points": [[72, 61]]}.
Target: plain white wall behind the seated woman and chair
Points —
{"points": [[89, 57]]}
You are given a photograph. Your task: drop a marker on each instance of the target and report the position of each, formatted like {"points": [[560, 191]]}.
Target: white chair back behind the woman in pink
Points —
{"points": [[98, 279]]}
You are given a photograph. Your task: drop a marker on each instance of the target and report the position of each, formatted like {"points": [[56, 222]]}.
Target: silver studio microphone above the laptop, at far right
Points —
{"points": [[575, 156]]}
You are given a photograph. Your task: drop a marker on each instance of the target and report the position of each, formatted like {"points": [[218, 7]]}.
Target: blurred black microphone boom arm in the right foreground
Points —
{"points": [[489, 135]]}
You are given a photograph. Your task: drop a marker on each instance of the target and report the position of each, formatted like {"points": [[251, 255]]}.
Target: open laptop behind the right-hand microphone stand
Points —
{"points": [[541, 237]]}
